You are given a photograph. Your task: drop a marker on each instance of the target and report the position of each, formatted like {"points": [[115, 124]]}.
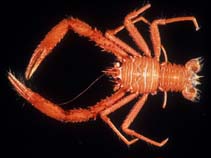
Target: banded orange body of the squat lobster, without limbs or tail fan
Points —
{"points": [[147, 75]]}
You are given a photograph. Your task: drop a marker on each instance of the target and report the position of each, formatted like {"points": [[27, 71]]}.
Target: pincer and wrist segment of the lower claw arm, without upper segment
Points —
{"points": [[48, 108]]}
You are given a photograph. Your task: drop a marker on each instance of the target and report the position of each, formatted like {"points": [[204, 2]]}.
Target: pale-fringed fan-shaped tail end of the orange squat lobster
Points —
{"points": [[193, 66]]}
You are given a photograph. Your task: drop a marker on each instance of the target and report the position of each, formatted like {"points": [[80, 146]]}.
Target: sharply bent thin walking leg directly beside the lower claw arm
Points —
{"points": [[104, 115]]}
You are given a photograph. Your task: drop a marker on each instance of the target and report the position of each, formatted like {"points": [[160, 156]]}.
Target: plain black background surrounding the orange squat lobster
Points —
{"points": [[76, 62]]}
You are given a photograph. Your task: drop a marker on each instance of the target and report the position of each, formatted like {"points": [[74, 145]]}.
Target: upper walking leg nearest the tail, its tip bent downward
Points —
{"points": [[155, 35]]}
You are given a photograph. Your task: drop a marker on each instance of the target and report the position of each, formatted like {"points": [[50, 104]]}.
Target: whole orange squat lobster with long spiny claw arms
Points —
{"points": [[133, 74]]}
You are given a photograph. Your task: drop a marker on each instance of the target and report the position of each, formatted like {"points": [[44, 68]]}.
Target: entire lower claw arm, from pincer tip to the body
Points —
{"points": [[54, 111]]}
